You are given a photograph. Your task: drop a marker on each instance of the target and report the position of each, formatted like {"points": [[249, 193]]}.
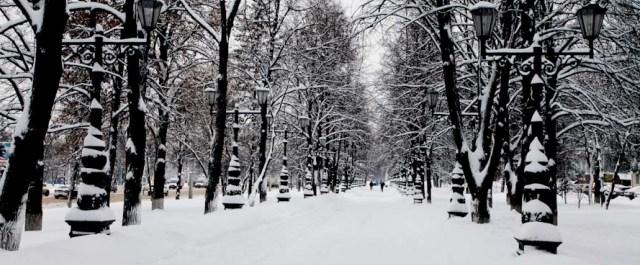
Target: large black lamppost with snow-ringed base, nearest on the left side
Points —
{"points": [[92, 214]]}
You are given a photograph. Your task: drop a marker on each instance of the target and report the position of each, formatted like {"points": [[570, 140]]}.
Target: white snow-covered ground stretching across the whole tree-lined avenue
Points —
{"points": [[358, 227]]}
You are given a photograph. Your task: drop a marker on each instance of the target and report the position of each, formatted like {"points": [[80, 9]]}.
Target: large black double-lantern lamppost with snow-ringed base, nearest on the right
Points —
{"points": [[540, 209]]}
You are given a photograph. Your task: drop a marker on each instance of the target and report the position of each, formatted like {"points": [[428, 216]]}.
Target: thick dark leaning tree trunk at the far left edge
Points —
{"points": [[30, 132]]}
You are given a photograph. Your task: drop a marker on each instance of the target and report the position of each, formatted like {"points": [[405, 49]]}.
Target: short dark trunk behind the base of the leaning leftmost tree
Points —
{"points": [[34, 201]]}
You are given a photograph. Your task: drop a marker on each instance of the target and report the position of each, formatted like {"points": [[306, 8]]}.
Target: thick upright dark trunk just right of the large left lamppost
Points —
{"points": [[136, 139]]}
